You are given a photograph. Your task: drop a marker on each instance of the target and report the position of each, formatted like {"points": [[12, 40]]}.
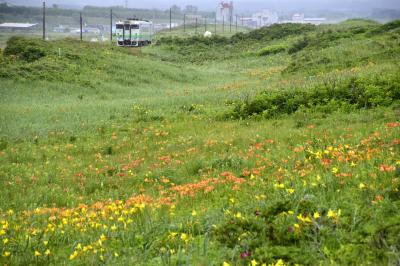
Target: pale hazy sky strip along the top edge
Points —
{"points": [[239, 4]]}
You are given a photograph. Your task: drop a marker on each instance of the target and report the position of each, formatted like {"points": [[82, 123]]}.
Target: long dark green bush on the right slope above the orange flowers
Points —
{"points": [[354, 93]]}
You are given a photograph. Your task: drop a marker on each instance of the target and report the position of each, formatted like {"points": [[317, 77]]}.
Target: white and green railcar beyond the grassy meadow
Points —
{"points": [[134, 32]]}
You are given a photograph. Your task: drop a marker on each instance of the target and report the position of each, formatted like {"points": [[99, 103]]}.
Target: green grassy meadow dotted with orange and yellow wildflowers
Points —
{"points": [[278, 146]]}
